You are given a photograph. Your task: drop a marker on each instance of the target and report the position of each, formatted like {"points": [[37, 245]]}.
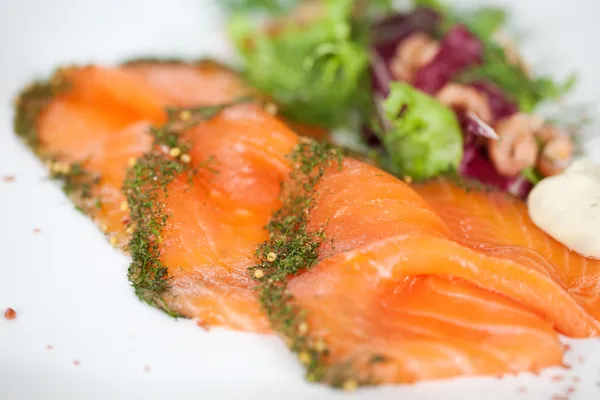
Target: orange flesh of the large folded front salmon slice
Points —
{"points": [[395, 287]]}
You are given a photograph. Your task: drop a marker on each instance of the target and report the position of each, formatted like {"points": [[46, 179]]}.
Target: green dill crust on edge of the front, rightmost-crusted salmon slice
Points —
{"points": [[291, 249]]}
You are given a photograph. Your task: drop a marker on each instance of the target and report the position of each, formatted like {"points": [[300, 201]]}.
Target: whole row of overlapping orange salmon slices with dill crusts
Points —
{"points": [[367, 279]]}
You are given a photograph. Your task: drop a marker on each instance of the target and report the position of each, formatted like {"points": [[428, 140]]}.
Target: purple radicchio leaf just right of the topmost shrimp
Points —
{"points": [[459, 50]]}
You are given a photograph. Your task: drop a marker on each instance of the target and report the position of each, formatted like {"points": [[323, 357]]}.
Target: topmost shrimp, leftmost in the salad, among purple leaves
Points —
{"points": [[414, 52]]}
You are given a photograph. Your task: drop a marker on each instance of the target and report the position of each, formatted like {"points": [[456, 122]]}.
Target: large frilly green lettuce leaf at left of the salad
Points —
{"points": [[317, 73]]}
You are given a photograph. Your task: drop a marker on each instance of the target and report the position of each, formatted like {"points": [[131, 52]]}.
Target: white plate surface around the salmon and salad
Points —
{"points": [[69, 286]]}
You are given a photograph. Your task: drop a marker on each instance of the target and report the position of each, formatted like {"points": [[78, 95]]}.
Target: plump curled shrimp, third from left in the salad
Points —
{"points": [[517, 148]]}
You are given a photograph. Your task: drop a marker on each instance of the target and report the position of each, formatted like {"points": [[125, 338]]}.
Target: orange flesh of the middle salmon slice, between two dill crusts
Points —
{"points": [[217, 222]]}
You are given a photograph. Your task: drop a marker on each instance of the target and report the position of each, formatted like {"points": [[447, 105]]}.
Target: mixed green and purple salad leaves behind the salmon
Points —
{"points": [[319, 71]]}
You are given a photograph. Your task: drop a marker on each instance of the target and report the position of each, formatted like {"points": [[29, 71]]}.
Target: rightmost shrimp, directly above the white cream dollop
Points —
{"points": [[557, 151]]}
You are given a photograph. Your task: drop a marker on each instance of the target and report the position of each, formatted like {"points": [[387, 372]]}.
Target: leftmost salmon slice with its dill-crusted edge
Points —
{"points": [[91, 123]]}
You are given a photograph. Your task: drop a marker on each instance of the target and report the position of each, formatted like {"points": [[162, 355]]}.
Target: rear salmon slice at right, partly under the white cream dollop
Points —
{"points": [[498, 224]]}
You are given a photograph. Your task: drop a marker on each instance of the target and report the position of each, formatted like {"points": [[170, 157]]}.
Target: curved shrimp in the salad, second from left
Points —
{"points": [[466, 98]]}
